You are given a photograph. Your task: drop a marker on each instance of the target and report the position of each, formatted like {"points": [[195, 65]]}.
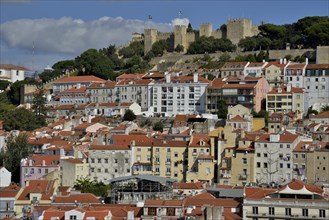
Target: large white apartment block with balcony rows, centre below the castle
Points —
{"points": [[179, 95]]}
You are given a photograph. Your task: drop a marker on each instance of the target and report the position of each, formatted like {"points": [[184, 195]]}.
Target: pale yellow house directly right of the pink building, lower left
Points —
{"points": [[72, 170]]}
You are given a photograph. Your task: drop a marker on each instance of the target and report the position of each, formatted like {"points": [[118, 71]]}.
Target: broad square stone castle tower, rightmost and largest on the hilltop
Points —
{"points": [[238, 29]]}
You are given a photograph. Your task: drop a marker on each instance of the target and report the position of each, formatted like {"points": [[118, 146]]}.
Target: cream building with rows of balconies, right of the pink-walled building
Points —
{"points": [[286, 99]]}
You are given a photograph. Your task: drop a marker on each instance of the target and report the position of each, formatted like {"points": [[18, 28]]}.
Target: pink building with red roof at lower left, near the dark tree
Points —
{"points": [[37, 166]]}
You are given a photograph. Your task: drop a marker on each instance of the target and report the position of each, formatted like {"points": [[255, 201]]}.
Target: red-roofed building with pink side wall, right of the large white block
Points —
{"points": [[249, 92]]}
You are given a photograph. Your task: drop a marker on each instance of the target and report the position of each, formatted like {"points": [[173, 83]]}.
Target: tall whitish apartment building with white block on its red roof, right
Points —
{"points": [[274, 154]]}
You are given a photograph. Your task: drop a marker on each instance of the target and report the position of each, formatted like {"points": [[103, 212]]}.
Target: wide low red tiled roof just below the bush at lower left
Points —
{"points": [[77, 198]]}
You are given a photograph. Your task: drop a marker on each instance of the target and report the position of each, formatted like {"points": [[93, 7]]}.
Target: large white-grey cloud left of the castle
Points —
{"points": [[68, 35]]}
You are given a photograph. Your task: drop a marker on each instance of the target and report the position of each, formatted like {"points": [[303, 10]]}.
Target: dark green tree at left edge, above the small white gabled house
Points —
{"points": [[10, 156]]}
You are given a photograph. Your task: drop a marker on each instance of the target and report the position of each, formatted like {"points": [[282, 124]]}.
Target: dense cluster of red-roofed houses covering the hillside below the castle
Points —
{"points": [[198, 167]]}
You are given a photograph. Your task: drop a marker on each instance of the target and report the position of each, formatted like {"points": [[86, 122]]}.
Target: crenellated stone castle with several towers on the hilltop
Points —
{"points": [[236, 30]]}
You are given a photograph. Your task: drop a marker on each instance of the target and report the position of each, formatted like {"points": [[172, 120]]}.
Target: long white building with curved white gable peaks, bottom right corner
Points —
{"points": [[296, 200]]}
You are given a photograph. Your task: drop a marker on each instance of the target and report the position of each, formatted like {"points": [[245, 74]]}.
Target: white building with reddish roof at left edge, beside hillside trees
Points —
{"points": [[12, 73]]}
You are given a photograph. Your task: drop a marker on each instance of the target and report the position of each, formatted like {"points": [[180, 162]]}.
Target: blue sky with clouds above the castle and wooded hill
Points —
{"points": [[63, 29]]}
